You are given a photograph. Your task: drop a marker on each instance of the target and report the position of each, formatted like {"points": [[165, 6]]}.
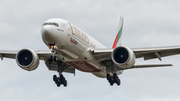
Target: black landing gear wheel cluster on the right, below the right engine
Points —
{"points": [[113, 79]]}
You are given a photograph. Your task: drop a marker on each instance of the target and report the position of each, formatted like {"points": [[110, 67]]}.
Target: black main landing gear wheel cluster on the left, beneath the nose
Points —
{"points": [[60, 80]]}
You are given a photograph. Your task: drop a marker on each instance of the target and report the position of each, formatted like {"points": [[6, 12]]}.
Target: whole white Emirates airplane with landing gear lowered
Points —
{"points": [[72, 49]]}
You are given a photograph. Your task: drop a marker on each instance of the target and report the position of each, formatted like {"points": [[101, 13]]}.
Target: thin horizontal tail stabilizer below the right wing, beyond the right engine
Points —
{"points": [[151, 65]]}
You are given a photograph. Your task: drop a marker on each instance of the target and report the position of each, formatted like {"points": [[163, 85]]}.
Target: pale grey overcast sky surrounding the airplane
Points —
{"points": [[147, 23]]}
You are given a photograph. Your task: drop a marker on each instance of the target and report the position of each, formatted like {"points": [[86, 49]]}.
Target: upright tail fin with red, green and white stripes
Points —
{"points": [[117, 41]]}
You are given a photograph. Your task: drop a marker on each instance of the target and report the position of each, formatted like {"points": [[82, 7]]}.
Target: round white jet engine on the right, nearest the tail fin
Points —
{"points": [[123, 57]]}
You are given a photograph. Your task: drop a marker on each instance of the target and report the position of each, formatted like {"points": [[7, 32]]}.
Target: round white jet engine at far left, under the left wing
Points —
{"points": [[27, 59]]}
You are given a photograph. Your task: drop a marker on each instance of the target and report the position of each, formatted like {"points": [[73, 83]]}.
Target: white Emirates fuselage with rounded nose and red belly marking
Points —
{"points": [[73, 45]]}
